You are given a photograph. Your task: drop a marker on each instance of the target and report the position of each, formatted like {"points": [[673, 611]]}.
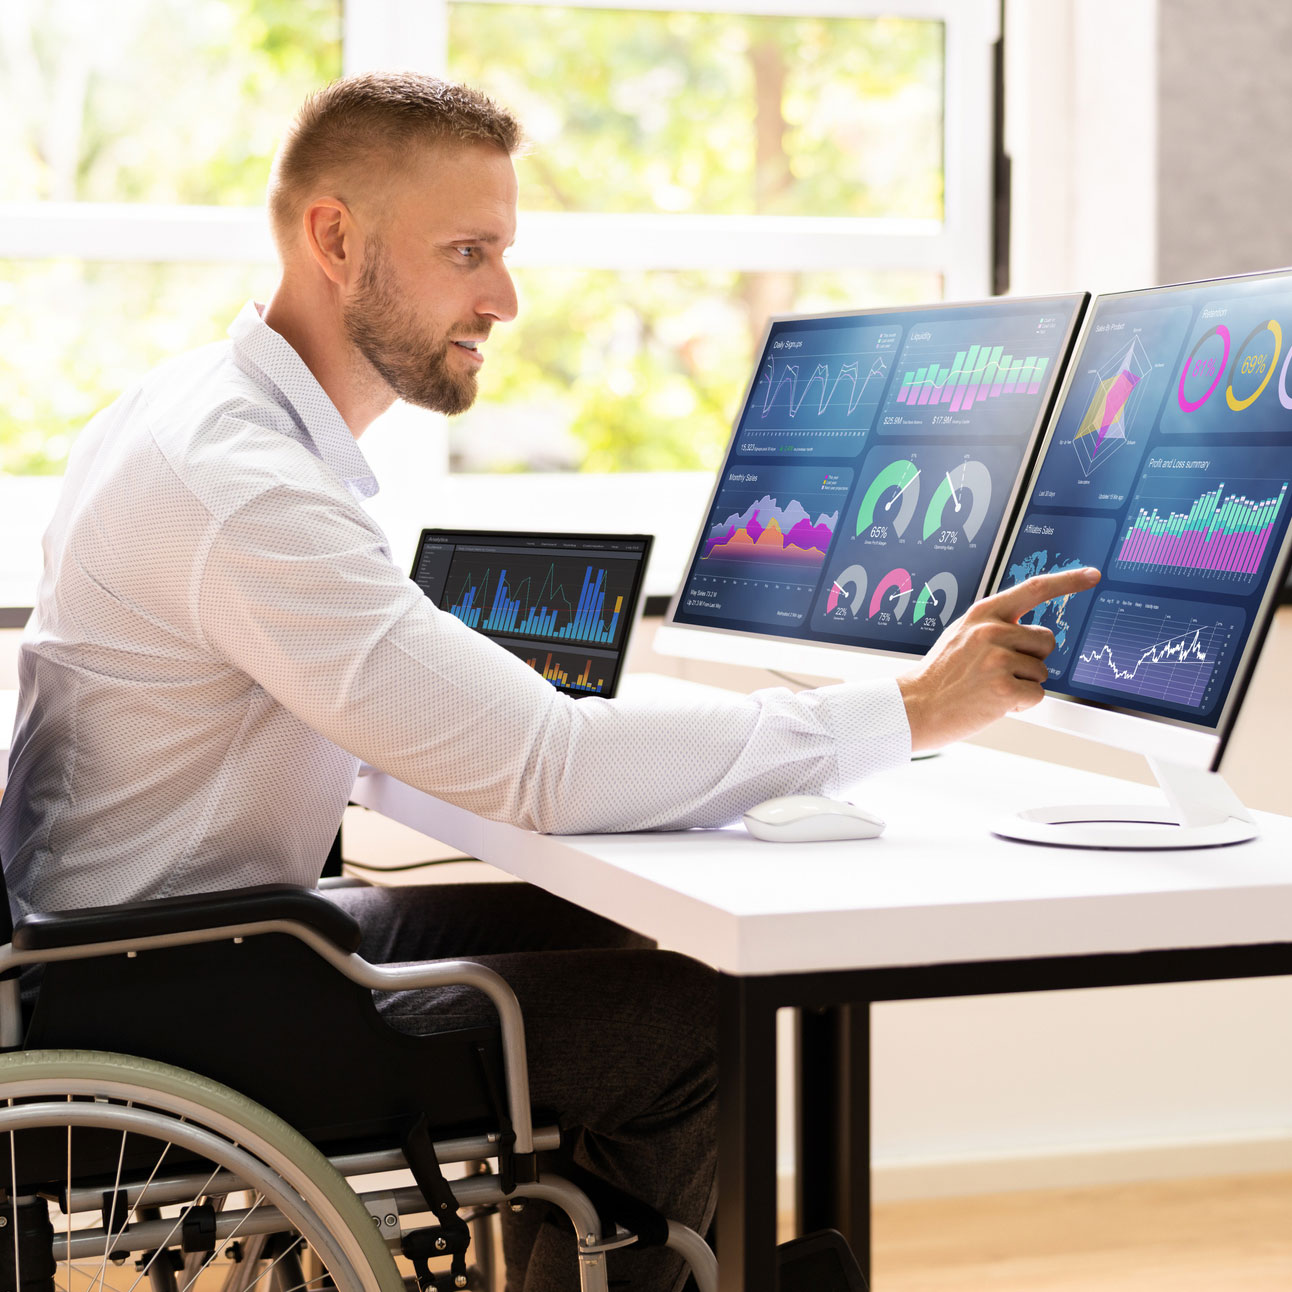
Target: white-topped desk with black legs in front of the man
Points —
{"points": [[937, 908]]}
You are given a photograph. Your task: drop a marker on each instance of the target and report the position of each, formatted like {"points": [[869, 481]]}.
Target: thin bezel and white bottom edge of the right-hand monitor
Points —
{"points": [[1153, 735]]}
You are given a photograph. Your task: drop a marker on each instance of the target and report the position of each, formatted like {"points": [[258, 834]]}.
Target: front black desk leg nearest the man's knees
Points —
{"points": [[747, 1138]]}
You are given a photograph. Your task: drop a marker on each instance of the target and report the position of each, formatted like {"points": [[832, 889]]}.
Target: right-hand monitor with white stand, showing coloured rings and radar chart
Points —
{"points": [[1167, 464]]}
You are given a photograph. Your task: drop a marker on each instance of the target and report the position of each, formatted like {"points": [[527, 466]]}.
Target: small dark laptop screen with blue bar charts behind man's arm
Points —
{"points": [[565, 604]]}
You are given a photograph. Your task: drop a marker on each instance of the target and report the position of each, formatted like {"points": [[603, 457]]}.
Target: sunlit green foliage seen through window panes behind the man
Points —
{"points": [[183, 101]]}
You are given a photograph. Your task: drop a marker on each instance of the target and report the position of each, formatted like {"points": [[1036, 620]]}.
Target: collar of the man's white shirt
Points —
{"points": [[258, 347]]}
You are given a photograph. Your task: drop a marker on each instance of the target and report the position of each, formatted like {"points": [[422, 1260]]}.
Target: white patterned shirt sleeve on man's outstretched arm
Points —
{"points": [[299, 594]]}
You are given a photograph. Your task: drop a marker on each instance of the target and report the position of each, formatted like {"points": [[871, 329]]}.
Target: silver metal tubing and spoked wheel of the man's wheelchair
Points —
{"points": [[357, 1231]]}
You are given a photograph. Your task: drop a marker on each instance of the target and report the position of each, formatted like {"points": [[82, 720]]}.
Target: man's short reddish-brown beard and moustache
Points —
{"points": [[415, 366]]}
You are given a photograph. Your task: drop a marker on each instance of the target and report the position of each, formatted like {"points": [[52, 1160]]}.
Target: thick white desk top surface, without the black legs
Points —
{"points": [[939, 887]]}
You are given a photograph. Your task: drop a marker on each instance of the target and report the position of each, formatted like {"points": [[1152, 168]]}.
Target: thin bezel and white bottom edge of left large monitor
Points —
{"points": [[815, 656]]}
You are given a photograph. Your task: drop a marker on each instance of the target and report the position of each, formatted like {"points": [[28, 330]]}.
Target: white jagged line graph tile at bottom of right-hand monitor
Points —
{"points": [[1163, 651]]}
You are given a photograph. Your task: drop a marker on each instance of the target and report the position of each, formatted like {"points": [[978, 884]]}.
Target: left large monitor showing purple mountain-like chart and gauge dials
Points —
{"points": [[866, 483]]}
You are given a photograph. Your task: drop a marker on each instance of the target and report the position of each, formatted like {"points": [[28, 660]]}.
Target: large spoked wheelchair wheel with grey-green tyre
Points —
{"points": [[118, 1172]]}
